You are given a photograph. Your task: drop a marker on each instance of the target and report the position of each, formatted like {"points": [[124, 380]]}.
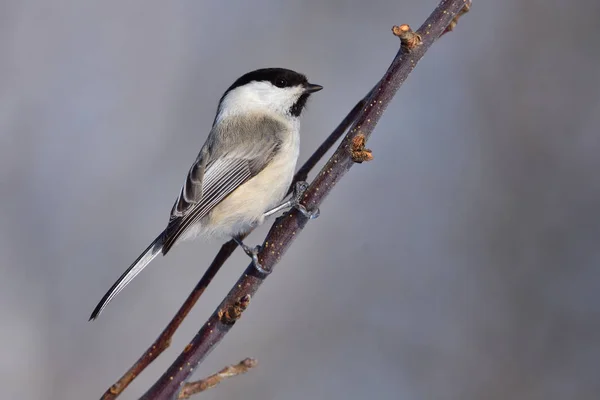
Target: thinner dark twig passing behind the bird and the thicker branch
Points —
{"points": [[164, 340]]}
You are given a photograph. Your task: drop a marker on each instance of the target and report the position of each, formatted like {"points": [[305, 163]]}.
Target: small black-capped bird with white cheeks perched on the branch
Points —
{"points": [[243, 170]]}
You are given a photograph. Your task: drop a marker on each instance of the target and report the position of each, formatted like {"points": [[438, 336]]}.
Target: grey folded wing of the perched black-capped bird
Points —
{"points": [[233, 154]]}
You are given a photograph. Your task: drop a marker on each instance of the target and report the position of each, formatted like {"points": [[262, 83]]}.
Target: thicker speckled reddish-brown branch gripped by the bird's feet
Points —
{"points": [[286, 228]]}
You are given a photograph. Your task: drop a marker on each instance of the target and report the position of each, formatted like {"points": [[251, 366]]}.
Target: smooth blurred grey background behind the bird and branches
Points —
{"points": [[462, 263]]}
